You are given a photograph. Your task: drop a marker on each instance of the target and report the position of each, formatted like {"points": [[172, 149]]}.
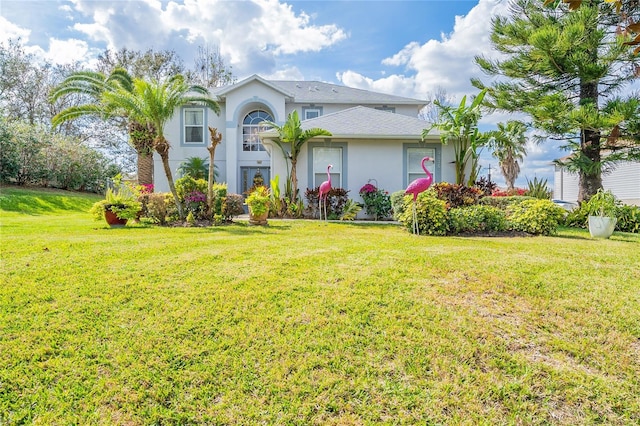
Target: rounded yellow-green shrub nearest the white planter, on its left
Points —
{"points": [[538, 217]]}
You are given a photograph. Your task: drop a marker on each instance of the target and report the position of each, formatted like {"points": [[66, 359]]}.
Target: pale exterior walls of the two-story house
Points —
{"points": [[384, 164]]}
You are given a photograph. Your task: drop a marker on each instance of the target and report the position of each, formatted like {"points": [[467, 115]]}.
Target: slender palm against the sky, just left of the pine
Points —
{"points": [[509, 146]]}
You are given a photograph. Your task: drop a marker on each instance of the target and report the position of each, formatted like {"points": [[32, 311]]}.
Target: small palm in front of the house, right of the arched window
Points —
{"points": [[291, 135]]}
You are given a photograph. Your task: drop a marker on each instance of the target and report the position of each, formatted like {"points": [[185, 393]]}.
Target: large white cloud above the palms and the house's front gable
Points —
{"points": [[251, 35]]}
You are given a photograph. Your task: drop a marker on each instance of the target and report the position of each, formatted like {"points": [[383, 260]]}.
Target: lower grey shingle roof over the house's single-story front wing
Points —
{"points": [[365, 123]]}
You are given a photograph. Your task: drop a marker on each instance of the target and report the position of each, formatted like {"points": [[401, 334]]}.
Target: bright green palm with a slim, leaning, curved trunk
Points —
{"points": [[155, 103]]}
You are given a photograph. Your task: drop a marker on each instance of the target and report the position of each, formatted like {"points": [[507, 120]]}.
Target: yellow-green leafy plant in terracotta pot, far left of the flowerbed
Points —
{"points": [[119, 205]]}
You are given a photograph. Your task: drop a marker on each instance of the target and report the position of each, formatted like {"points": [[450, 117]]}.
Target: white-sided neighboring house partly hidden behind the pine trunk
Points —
{"points": [[623, 181]]}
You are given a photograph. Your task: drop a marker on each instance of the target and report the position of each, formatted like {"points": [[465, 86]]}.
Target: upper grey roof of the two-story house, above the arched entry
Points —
{"points": [[319, 92]]}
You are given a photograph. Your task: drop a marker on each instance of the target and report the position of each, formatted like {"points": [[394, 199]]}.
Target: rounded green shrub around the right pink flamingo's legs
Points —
{"points": [[431, 212]]}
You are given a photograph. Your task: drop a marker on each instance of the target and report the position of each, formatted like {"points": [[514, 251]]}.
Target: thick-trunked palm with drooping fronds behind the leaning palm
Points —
{"points": [[93, 85]]}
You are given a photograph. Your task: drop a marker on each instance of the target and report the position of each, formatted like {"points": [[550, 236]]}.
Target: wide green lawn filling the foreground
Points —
{"points": [[303, 322]]}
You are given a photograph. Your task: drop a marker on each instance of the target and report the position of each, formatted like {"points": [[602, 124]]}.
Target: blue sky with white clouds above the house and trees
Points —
{"points": [[407, 48]]}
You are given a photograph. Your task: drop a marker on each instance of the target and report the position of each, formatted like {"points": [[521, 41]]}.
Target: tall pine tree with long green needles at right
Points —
{"points": [[564, 68]]}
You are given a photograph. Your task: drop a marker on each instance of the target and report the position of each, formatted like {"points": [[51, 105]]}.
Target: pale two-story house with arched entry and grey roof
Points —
{"points": [[376, 137]]}
